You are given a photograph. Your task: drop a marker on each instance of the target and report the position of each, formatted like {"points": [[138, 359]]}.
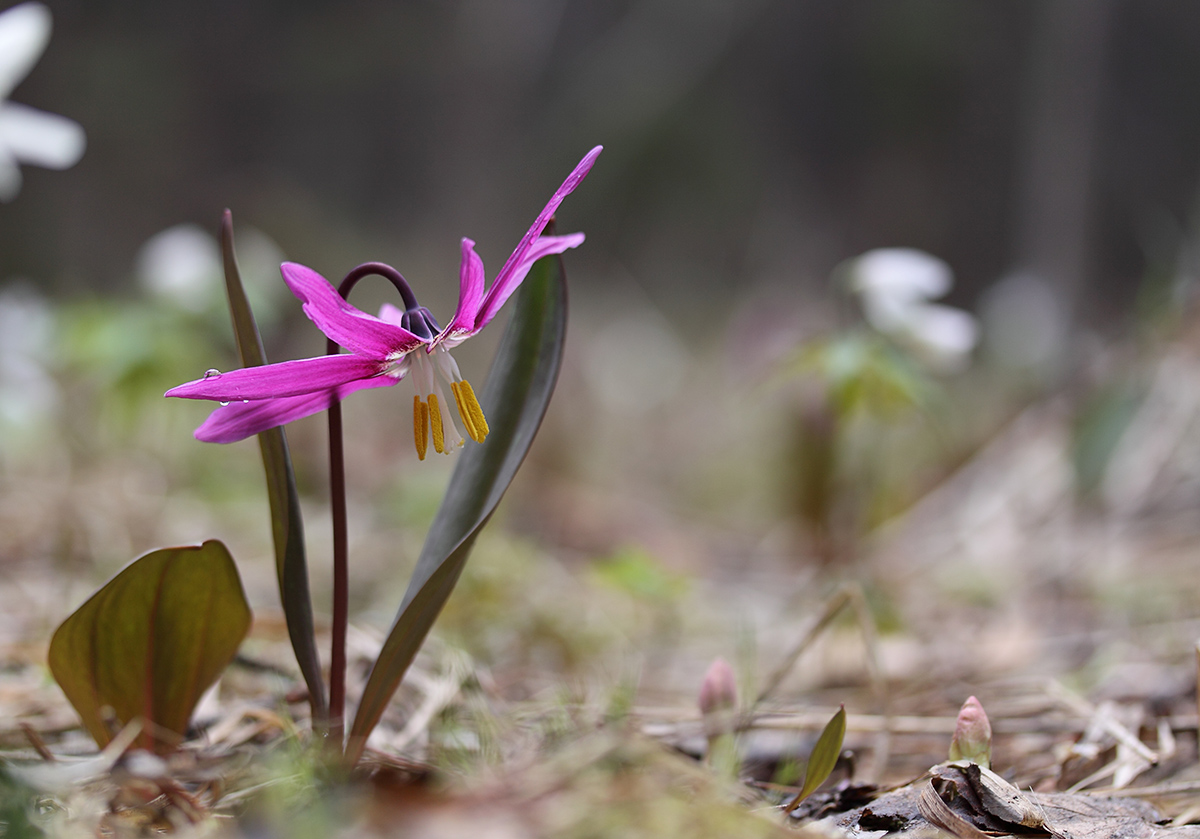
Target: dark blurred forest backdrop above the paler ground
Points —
{"points": [[752, 145]]}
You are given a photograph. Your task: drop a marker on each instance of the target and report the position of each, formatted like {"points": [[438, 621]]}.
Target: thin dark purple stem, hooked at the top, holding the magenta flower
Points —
{"points": [[338, 508]]}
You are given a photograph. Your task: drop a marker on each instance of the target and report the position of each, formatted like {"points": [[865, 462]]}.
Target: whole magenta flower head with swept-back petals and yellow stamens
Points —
{"points": [[382, 350]]}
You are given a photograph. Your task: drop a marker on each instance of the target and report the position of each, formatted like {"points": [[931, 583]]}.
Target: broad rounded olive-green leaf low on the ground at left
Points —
{"points": [[152, 642]]}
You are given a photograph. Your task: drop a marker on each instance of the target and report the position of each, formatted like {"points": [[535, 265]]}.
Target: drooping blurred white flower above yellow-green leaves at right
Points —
{"points": [[896, 286]]}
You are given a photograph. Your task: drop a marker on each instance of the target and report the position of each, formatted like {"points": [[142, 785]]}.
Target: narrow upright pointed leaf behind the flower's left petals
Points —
{"points": [[287, 528]]}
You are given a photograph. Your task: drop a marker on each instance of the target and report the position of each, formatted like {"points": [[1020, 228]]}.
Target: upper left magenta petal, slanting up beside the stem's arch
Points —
{"points": [[347, 326]]}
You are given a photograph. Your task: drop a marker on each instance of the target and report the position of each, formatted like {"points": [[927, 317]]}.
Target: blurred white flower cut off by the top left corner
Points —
{"points": [[27, 135]]}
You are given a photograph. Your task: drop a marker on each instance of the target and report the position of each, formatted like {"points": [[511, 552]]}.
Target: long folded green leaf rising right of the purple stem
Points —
{"points": [[519, 389]]}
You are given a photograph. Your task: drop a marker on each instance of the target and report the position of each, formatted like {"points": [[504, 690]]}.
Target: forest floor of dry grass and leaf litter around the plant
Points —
{"points": [[559, 694]]}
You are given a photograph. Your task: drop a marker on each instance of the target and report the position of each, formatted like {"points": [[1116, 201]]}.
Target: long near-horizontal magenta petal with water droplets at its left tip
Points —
{"points": [[286, 379]]}
